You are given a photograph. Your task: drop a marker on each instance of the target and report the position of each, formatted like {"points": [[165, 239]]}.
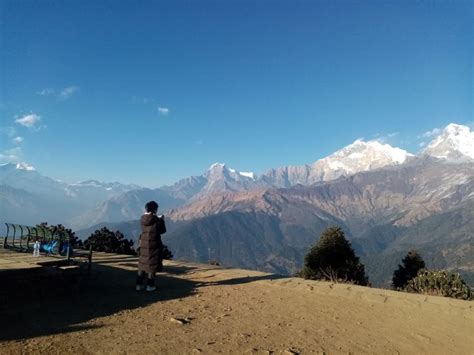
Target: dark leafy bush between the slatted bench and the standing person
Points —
{"points": [[110, 242]]}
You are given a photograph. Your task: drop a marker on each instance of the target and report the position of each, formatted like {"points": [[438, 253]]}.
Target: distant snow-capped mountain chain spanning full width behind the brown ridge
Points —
{"points": [[111, 202]]}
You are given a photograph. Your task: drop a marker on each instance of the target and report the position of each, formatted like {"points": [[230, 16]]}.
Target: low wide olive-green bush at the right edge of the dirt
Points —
{"points": [[440, 283]]}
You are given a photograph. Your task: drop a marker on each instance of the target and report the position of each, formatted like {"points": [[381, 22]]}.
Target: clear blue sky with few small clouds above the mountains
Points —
{"points": [[149, 92]]}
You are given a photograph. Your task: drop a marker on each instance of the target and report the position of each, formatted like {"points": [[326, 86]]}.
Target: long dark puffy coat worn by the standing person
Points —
{"points": [[151, 247]]}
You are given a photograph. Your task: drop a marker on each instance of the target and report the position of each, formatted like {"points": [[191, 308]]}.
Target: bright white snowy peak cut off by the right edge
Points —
{"points": [[456, 142]]}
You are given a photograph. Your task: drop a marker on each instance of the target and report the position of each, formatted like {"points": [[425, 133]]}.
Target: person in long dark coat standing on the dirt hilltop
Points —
{"points": [[150, 260]]}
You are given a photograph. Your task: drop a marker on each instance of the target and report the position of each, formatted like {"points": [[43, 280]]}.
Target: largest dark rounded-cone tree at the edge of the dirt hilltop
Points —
{"points": [[332, 258]]}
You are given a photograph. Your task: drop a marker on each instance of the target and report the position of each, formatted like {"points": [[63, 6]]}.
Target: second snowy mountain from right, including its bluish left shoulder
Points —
{"points": [[356, 157]]}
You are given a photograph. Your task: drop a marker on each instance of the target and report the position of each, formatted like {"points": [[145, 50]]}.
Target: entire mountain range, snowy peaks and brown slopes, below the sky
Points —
{"points": [[386, 199]]}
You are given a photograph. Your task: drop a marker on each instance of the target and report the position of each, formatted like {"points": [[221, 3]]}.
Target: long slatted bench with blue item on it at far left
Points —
{"points": [[21, 238]]}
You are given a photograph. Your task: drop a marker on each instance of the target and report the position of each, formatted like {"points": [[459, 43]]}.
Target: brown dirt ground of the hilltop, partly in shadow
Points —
{"points": [[207, 309]]}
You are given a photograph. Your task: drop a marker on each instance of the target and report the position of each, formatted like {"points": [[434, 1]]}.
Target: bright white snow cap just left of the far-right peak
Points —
{"points": [[362, 156]]}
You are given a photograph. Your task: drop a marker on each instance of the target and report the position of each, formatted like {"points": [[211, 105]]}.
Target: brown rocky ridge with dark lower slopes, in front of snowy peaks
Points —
{"points": [[427, 203]]}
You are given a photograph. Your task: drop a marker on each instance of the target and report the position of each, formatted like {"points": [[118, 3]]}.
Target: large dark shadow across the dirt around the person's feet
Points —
{"points": [[46, 301]]}
